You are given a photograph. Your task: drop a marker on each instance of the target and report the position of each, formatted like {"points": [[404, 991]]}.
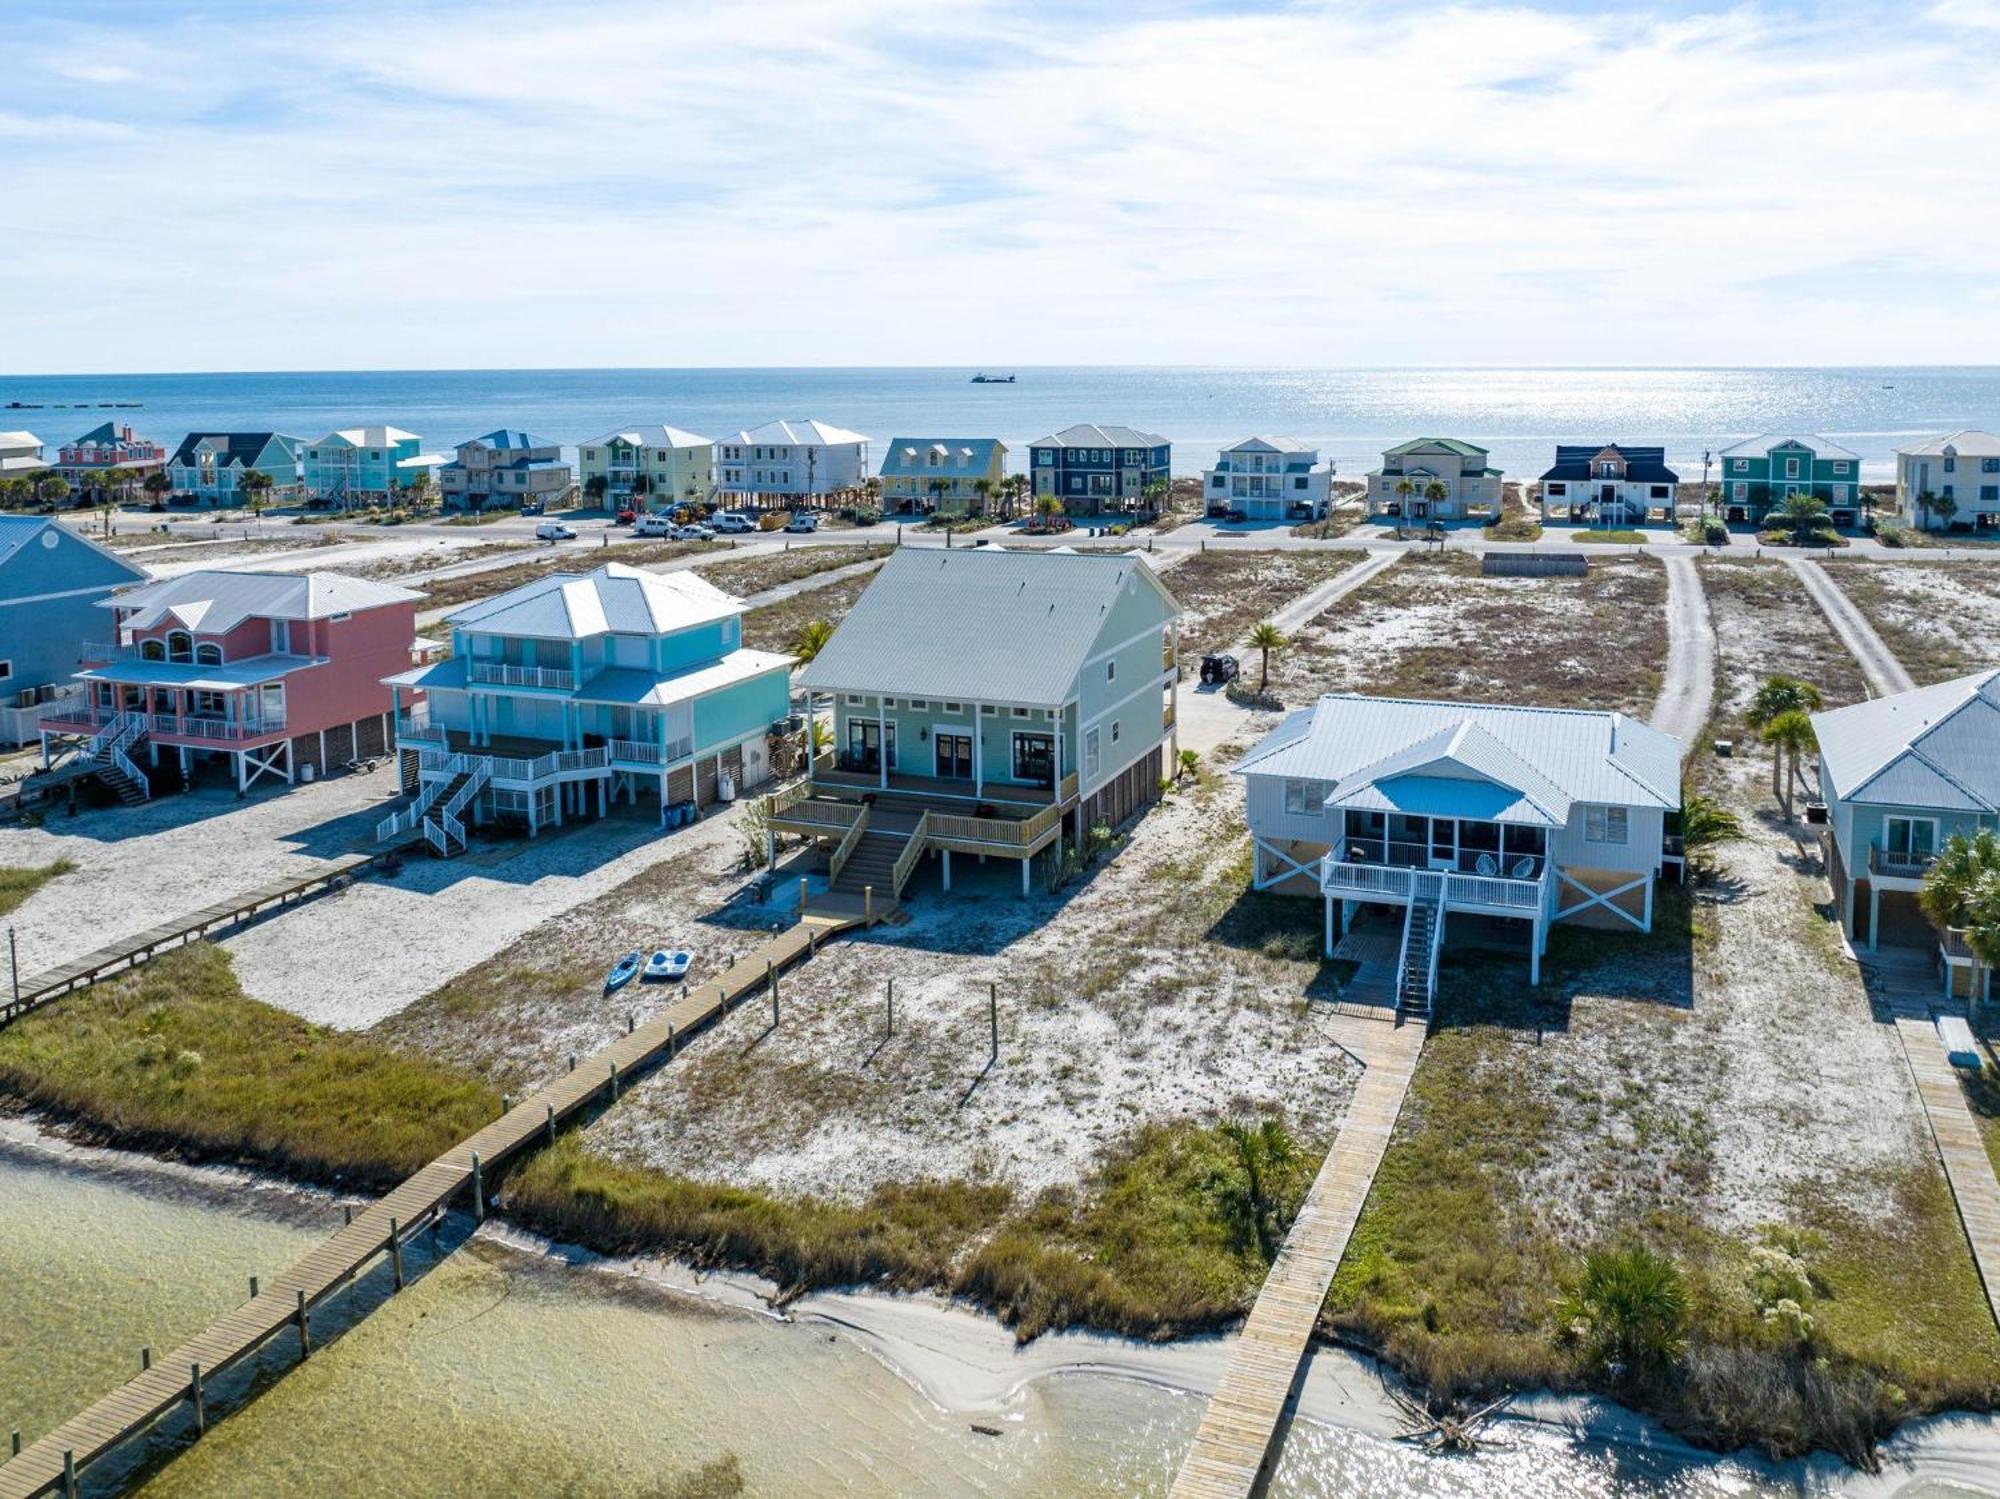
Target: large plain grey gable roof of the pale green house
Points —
{"points": [[981, 623]]}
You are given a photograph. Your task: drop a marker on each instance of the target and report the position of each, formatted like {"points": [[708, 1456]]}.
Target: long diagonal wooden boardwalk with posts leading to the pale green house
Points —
{"points": [[287, 1300]]}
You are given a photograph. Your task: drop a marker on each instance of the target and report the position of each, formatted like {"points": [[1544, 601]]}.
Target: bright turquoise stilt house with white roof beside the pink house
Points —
{"points": [[573, 691]]}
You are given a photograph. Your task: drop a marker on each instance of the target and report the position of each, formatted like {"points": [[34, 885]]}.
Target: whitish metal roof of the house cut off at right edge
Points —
{"points": [[1931, 749]]}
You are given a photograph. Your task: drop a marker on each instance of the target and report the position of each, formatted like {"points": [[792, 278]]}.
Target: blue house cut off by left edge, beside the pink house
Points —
{"points": [[51, 587]]}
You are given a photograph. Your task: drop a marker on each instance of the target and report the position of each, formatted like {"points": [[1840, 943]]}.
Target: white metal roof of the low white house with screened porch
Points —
{"points": [[1473, 760]]}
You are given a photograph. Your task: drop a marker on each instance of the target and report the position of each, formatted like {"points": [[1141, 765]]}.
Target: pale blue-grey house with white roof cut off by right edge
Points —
{"points": [[1901, 774]]}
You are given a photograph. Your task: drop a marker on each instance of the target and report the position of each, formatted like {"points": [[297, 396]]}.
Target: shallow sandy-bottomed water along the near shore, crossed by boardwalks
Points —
{"points": [[503, 1372]]}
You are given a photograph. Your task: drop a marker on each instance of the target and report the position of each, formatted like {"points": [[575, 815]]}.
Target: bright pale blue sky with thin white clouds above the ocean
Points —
{"points": [[787, 183]]}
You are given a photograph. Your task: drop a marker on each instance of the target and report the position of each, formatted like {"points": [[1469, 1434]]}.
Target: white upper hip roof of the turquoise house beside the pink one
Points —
{"points": [[615, 599]]}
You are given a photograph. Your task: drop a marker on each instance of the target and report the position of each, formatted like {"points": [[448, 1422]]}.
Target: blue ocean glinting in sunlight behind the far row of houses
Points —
{"points": [[1353, 415]]}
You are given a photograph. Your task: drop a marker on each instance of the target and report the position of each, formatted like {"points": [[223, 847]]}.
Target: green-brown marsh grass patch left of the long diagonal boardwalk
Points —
{"points": [[177, 1058]]}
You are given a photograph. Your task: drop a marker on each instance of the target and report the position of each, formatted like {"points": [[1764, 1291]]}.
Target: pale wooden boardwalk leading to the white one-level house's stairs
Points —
{"points": [[1235, 1442]]}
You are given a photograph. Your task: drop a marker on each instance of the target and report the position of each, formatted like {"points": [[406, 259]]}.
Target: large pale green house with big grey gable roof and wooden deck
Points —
{"points": [[1045, 709]]}
